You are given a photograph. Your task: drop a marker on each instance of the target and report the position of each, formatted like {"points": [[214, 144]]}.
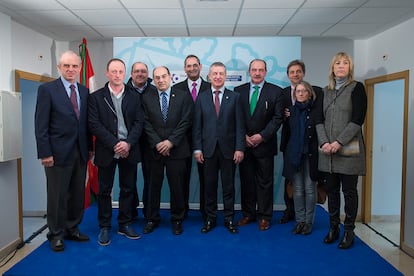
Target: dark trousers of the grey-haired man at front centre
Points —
{"points": [[212, 166]]}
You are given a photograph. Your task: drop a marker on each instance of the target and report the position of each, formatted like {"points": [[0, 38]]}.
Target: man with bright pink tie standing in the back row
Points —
{"points": [[194, 85]]}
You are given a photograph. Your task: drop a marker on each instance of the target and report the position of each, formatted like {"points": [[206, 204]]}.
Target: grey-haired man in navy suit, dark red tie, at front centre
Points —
{"points": [[218, 143]]}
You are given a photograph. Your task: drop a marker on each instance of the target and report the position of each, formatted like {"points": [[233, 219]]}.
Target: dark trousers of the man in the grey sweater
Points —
{"points": [[127, 180]]}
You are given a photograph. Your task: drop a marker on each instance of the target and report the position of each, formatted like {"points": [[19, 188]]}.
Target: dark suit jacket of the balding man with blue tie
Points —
{"points": [[180, 113]]}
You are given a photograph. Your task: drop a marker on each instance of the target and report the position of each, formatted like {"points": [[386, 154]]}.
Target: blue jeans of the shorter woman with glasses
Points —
{"points": [[304, 194]]}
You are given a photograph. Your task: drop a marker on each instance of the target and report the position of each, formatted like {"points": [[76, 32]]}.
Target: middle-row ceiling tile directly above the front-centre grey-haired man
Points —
{"points": [[211, 16]]}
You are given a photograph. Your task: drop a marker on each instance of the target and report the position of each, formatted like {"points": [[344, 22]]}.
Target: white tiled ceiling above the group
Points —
{"points": [[70, 20]]}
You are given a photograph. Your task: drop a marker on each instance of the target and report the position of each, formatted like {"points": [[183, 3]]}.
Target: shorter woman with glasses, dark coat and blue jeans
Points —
{"points": [[301, 156]]}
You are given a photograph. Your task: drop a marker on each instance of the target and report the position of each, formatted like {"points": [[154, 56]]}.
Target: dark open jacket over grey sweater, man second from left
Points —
{"points": [[103, 124]]}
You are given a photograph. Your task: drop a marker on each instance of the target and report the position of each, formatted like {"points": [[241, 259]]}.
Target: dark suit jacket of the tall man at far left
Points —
{"points": [[56, 127]]}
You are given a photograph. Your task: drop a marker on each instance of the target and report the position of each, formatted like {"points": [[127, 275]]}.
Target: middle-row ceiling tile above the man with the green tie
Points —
{"points": [[265, 16]]}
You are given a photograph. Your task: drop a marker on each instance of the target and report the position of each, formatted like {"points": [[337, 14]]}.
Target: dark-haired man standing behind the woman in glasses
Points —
{"points": [[295, 72]]}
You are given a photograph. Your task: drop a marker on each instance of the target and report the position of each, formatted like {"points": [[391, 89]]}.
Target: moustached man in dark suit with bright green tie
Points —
{"points": [[263, 114]]}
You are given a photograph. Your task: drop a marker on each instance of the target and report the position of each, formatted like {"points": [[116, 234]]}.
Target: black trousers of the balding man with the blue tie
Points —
{"points": [[175, 171]]}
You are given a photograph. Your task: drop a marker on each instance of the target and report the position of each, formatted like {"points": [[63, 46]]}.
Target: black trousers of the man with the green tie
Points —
{"points": [[256, 183]]}
